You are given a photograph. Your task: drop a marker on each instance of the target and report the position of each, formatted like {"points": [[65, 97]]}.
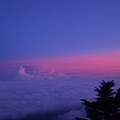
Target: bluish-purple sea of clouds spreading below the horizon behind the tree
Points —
{"points": [[20, 98]]}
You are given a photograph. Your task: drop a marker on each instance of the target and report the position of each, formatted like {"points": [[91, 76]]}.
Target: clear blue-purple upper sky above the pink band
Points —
{"points": [[37, 29]]}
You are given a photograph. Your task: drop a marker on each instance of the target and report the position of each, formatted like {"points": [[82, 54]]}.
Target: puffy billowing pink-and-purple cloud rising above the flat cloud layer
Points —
{"points": [[39, 72]]}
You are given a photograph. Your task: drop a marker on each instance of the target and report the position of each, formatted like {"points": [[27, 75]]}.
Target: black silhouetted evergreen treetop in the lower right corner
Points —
{"points": [[106, 105]]}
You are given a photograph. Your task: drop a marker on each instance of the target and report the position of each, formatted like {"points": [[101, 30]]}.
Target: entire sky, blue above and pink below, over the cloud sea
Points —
{"points": [[60, 38]]}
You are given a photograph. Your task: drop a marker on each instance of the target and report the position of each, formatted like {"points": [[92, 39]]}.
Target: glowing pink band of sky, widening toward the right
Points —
{"points": [[82, 65]]}
